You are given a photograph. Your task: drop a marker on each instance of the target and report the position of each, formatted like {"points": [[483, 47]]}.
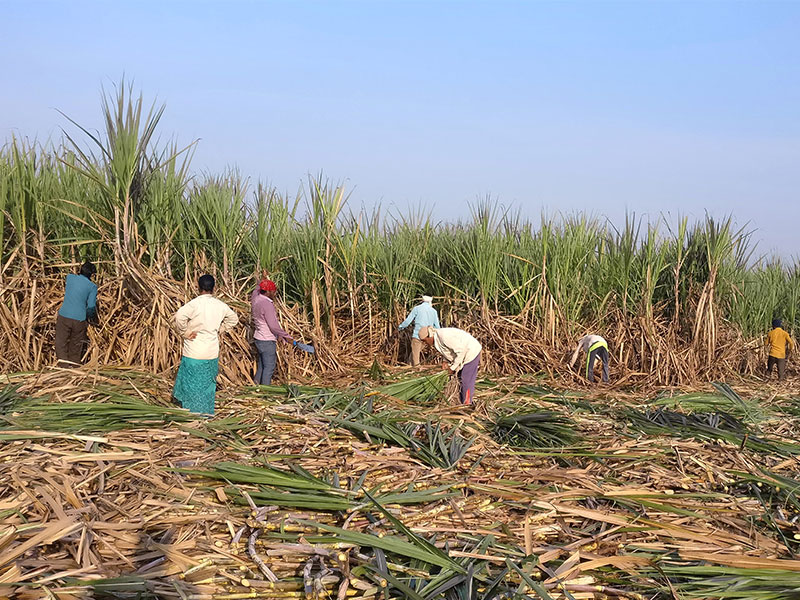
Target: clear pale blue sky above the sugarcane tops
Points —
{"points": [[642, 106]]}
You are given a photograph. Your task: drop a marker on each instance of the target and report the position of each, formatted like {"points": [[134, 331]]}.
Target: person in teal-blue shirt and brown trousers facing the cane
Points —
{"points": [[77, 311]]}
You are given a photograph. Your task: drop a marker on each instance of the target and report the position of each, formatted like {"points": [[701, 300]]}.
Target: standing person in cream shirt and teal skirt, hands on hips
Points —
{"points": [[200, 323]]}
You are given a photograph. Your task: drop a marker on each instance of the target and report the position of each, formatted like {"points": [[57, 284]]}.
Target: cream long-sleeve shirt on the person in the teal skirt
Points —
{"points": [[208, 316]]}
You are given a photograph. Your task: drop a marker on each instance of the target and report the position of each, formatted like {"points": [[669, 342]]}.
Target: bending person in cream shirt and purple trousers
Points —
{"points": [[462, 350]]}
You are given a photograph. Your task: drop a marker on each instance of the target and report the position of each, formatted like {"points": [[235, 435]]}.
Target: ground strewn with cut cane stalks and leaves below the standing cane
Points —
{"points": [[377, 485]]}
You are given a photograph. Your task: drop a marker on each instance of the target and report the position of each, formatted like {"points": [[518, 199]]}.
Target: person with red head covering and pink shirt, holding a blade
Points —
{"points": [[267, 330]]}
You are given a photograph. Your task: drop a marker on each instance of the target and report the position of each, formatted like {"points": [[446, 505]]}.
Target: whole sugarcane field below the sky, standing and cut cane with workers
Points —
{"points": [[213, 389]]}
